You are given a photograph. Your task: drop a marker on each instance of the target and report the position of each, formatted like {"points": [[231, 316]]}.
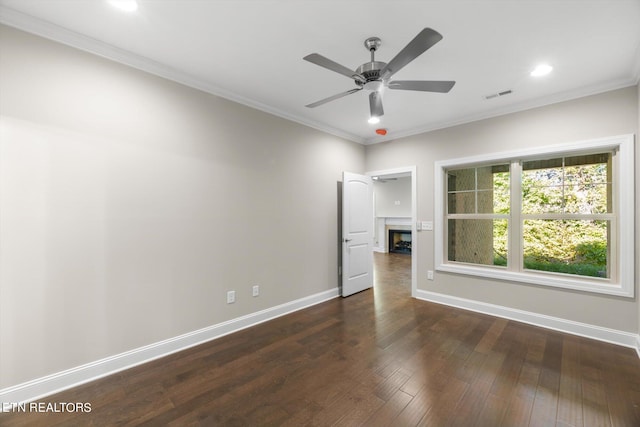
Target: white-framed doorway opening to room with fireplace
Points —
{"points": [[398, 211]]}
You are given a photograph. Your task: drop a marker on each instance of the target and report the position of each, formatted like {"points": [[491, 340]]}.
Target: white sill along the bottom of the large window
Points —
{"points": [[599, 286]]}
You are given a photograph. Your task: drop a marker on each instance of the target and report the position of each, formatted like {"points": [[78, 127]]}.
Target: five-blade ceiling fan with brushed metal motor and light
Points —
{"points": [[374, 75]]}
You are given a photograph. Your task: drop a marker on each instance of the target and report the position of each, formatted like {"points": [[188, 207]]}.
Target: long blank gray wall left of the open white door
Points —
{"points": [[131, 204]]}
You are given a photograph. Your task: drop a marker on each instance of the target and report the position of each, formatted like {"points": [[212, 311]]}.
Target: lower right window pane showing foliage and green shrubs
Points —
{"points": [[566, 246]]}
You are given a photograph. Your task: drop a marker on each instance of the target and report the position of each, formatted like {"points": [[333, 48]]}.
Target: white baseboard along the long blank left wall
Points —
{"points": [[51, 384]]}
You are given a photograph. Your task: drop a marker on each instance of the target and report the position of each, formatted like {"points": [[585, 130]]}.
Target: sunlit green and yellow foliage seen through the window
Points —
{"points": [[563, 246]]}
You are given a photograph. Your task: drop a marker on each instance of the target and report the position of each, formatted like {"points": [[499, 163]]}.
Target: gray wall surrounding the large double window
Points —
{"points": [[606, 114]]}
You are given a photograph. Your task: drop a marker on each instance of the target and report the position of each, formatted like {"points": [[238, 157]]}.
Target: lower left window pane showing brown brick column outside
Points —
{"points": [[478, 241]]}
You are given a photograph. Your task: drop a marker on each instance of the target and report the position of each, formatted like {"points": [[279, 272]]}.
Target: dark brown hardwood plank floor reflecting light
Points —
{"points": [[377, 358]]}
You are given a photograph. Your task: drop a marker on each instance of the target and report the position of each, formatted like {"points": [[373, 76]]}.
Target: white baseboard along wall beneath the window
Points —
{"points": [[626, 339]]}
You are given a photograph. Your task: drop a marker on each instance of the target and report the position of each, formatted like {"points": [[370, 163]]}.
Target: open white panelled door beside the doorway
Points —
{"points": [[357, 233]]}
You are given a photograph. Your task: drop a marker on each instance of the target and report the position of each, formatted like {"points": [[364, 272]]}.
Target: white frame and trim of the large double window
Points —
{"points": [[623, 241]]}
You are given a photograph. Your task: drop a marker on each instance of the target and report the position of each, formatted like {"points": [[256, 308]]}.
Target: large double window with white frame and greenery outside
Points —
{"points": [[559, 216]]}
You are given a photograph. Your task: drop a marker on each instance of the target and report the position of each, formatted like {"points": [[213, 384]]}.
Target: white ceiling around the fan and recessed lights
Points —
{"points": [[251, 52]]}
